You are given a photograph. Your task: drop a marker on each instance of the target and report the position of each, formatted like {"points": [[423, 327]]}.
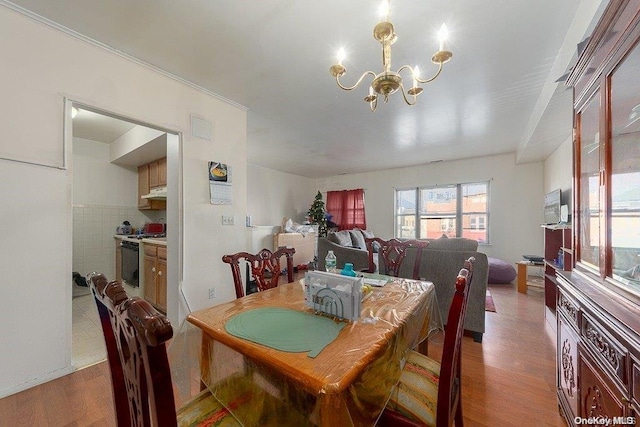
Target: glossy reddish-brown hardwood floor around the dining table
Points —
{"points": [[508, 380]]}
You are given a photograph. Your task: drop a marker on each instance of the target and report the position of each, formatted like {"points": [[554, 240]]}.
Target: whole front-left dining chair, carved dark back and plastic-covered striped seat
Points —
{"points": [[135, 335]]}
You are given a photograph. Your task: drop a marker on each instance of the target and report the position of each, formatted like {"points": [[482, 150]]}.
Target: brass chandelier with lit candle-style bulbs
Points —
{"points": [[388, 82]]}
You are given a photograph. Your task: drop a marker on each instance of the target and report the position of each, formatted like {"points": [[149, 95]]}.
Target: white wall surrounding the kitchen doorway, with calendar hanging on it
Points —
{"points": [[41, 65]]}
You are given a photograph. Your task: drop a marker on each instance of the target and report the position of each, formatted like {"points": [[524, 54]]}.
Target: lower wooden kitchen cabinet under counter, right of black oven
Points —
{"points": [[155, 275]]}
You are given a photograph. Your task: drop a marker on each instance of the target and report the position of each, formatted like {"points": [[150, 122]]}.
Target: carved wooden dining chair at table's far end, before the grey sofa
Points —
{"points": [[391, 253]]}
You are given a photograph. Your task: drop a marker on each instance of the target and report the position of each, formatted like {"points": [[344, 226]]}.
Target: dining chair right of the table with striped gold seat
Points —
{"points": [[428, 392]]}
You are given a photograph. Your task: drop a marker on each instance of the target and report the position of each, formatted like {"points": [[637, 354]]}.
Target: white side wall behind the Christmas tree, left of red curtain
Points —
{"points": [[272, 195]]}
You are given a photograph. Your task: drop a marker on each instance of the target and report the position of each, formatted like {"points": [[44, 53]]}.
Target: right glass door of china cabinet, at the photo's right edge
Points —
{"points": [[625, 171]]}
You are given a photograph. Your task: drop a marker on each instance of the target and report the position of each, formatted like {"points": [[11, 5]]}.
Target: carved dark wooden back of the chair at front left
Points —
{"points": [[135, 335]]}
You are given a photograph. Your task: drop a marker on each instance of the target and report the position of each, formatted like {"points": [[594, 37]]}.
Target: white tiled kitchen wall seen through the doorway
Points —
{"points": [[93, 229]]}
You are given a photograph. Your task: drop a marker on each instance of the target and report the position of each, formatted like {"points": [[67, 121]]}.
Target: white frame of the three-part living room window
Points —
{"points": [[459, 213]]}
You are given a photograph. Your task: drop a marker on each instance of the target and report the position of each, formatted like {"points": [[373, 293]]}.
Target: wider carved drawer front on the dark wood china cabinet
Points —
{"points": [[605, 348]]}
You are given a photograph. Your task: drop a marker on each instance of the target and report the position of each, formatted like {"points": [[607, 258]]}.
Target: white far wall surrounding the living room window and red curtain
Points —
{"points": [[516, 198]]}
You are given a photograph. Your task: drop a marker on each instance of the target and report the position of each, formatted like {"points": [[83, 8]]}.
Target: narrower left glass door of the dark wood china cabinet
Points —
{"points": [[589, 203]]}
